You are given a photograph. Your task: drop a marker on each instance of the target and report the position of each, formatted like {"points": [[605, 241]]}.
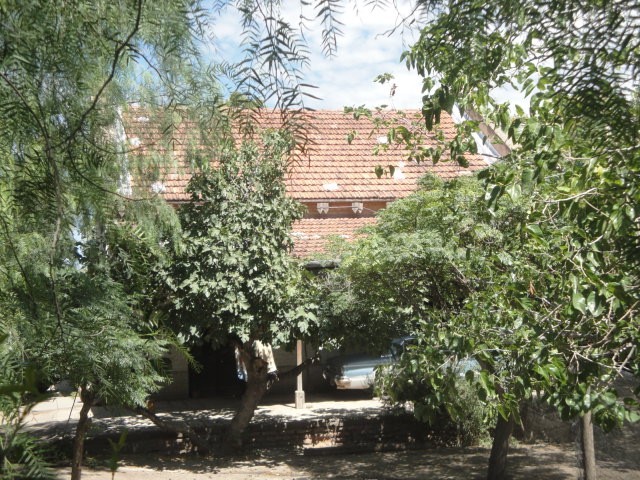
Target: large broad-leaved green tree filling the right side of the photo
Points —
{"points": [[576, 154]]}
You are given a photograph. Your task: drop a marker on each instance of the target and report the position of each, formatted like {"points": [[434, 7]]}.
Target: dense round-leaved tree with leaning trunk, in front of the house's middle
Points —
{"points": [[234, 277]]}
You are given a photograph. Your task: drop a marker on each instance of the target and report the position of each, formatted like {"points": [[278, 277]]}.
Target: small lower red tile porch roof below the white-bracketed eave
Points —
{"points": [[310, 235]]}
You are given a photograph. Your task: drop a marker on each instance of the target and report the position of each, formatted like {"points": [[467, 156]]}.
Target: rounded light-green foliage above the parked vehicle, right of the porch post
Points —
{"points": [[425, 256]]}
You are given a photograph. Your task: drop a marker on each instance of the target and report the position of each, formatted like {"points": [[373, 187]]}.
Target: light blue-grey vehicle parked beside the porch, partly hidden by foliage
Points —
{"points": [[357, 371]]}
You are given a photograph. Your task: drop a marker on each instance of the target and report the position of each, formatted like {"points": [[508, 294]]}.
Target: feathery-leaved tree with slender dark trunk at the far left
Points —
{"points": [[66, 223]]}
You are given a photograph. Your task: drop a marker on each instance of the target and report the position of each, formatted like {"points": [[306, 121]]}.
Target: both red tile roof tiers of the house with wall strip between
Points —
{"points": [[334, 176]]}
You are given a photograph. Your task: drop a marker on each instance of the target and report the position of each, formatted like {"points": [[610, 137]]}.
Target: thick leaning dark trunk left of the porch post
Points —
{"points": [[257, 386]]}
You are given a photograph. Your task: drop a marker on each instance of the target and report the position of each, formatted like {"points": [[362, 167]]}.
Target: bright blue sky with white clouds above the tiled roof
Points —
{"points": [[365, 50]]}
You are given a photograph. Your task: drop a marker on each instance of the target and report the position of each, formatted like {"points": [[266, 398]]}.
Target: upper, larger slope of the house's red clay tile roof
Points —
{"points": [[330, 169]]}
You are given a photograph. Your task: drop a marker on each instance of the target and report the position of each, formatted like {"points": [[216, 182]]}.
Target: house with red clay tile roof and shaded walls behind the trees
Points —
{"points": [[333, 174]]}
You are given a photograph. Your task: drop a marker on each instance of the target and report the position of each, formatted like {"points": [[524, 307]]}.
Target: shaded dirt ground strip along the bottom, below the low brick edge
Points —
{"points": [[542, 461]]}
